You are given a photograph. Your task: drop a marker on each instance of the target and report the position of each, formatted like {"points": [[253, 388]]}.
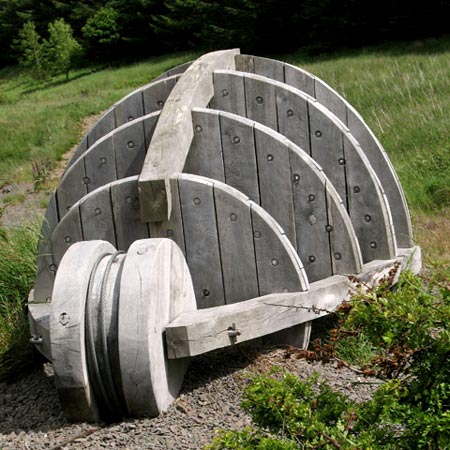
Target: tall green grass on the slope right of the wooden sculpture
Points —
{"points": [[402, 91]]}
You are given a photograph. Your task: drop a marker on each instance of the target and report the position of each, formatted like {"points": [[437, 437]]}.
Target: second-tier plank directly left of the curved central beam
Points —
{"points": [[129, 149]]}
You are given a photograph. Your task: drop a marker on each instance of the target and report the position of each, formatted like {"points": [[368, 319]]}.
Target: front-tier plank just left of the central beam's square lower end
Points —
{"points": [[126, 213]]}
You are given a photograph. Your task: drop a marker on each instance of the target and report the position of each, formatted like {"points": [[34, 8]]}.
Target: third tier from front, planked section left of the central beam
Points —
{"points": [[142, 101]]}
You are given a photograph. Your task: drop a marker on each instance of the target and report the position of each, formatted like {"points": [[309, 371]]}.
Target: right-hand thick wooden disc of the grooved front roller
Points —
{"points": [[155, 288]]}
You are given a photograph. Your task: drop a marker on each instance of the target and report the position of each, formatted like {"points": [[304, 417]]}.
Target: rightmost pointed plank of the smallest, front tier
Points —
{"points": [[279, 267]]}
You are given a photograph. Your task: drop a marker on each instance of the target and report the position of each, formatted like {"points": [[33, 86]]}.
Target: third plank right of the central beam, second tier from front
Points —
{"points": [[275, 181]]}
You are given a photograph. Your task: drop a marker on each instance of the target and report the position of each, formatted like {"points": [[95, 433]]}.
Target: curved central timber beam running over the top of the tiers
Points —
{"points": [[170, 144]]}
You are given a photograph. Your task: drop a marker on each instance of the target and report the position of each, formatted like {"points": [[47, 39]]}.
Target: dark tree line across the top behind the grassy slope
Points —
{"points": [[105, 30]]}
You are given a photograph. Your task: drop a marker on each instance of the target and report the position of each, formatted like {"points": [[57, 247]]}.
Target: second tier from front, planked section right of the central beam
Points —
{"points": [[284, 180]]}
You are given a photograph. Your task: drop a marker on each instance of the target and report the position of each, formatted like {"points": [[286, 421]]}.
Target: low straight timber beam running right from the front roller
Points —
{"points": [[198, 332]]}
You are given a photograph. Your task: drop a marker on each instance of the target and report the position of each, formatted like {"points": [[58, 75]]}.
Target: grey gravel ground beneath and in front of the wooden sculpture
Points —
{"points": [[31, 417]]}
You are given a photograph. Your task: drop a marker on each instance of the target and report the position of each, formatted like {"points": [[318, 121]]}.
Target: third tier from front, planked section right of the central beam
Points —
{"points": [[304, 121]]}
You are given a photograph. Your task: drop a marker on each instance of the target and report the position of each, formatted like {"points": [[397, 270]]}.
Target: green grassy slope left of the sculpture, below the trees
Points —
{"points": [[42, 120]]}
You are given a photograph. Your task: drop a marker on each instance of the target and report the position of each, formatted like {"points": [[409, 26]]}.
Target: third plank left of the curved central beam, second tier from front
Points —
{"points": [[72, 187]]}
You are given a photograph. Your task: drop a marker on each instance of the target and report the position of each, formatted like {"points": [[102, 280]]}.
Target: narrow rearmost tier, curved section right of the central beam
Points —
{"points": [[328, 97]]}
